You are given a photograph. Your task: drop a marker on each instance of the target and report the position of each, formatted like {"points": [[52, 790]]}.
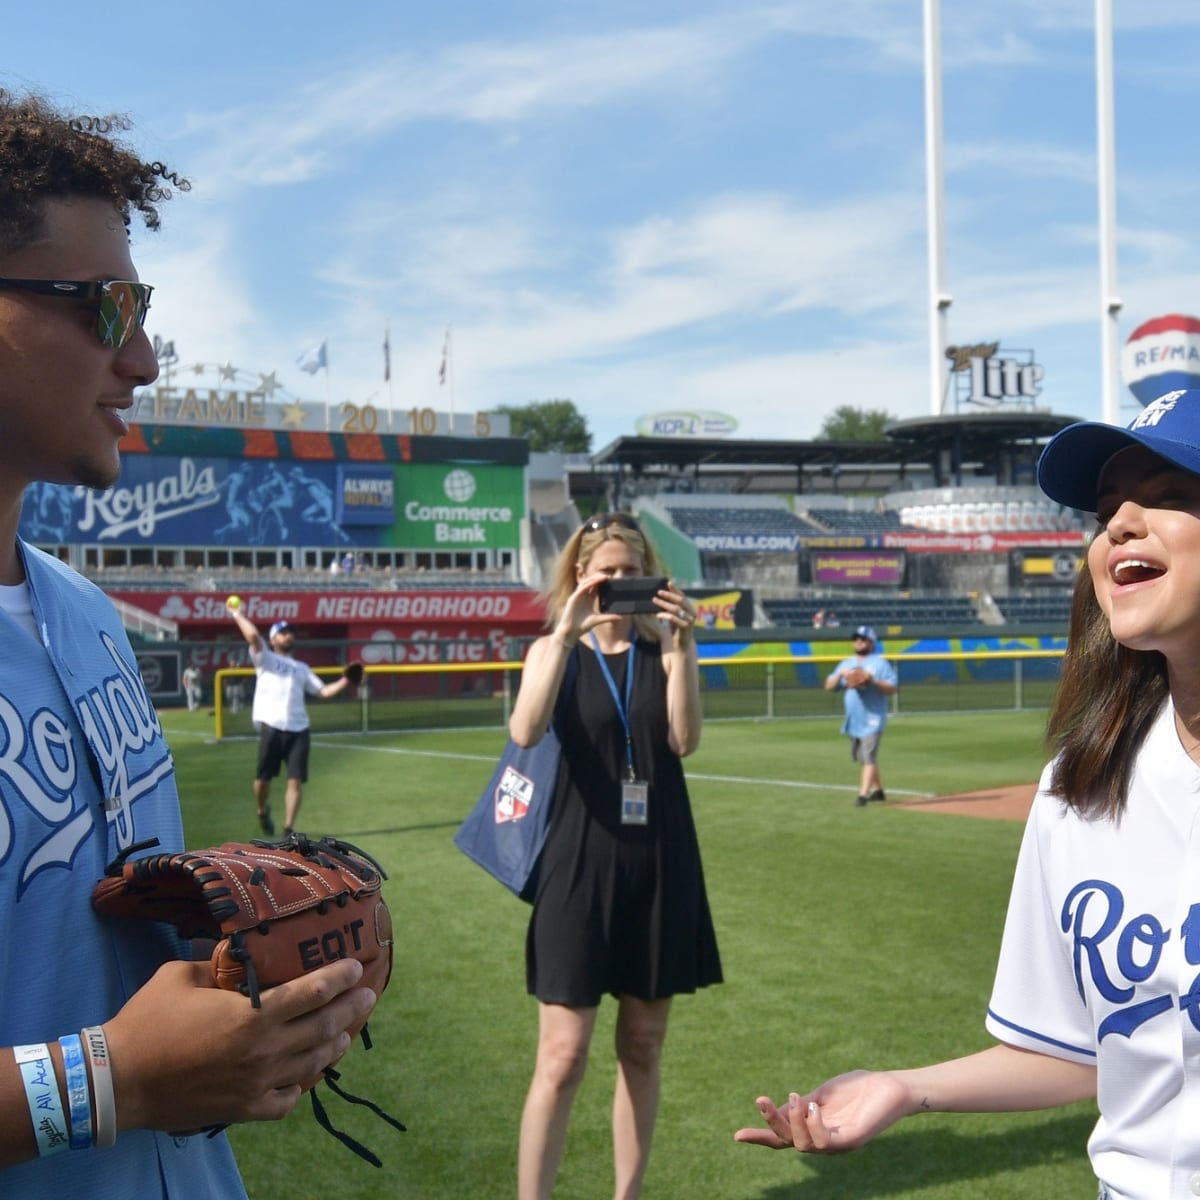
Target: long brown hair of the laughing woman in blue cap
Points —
{"points": [[1107, 703]]}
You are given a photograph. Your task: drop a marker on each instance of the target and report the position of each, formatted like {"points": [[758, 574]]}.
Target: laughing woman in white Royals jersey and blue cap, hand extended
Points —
{"points": [[1099, 986]]}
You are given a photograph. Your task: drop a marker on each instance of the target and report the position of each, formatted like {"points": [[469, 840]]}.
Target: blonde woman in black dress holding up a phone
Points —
{"points": [[621, 907]]}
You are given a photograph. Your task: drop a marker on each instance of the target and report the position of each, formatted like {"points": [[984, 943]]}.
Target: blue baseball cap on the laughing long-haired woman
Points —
{"points": [[1070, 467]]}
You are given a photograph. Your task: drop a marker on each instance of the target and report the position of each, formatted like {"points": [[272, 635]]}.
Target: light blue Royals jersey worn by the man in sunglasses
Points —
{"points": [[85, 775]]}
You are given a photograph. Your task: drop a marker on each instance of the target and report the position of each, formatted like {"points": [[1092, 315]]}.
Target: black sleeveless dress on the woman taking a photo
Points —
{"points": [[620, 909]]}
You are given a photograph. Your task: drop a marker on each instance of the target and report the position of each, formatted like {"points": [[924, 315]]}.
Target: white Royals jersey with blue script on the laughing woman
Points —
{"points": [[1101, 964]]}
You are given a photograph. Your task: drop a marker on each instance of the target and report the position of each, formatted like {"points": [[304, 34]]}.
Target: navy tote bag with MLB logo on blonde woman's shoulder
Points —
{"points": [[508, 826]]}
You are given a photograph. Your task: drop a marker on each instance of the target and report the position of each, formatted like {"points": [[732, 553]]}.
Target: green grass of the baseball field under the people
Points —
{"points": [[851, 938]]}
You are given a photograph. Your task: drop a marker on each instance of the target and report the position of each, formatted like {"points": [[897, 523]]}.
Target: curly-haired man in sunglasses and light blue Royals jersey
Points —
{"points": [[116, 1051]]}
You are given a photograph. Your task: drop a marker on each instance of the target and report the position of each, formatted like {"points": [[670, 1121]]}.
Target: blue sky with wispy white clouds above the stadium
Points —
{"points": [[640, 207]]}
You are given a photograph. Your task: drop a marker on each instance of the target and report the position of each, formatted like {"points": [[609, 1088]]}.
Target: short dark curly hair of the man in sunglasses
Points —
{"points": [[47, 155]]}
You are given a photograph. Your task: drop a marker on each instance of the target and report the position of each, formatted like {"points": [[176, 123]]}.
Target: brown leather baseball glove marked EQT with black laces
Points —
{"points": [[277, 910]]}
